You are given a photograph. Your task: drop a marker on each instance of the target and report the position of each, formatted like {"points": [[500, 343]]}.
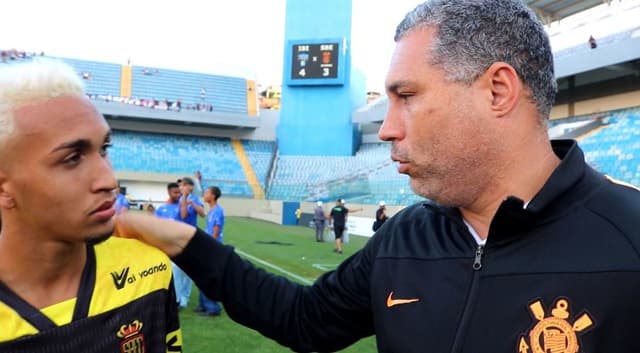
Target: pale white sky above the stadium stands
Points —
{"points": [[242, 38]]}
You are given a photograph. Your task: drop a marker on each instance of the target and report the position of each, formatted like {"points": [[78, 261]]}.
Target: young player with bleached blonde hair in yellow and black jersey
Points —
{"points": [[66, 285]]}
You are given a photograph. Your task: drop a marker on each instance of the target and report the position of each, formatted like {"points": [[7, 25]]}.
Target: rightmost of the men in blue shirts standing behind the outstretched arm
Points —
{"points": [[215, 225]]}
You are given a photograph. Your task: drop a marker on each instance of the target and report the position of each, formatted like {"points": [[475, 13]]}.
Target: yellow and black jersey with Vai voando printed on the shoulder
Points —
{"points": [[126, 303]]}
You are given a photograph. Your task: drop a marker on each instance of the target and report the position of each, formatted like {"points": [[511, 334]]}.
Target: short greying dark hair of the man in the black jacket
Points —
{"points": [[473, 34]]}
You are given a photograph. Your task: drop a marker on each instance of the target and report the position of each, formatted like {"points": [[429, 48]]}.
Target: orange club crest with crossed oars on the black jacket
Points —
{"points": [[554, 334]]}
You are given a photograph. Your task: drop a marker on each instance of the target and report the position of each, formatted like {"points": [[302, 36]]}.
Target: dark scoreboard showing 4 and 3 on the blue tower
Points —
{"points": [[315, 63]]}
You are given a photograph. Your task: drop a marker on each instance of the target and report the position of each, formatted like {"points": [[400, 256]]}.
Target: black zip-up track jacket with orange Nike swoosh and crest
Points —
{"points": [[562, 275]]}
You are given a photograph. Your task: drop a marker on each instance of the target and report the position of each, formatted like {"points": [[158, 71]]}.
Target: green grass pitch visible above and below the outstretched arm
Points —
{"points": [[293, 249]]}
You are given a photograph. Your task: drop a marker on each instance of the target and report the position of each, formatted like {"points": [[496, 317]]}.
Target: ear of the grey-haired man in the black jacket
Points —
{"points": [[505, 85]]}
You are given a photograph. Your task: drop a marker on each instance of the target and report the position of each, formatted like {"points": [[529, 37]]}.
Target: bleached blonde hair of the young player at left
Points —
{"points": [[31, 82]]}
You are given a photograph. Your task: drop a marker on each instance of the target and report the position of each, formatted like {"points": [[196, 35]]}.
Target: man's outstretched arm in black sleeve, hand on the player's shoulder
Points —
{"points": [[327, 316]]}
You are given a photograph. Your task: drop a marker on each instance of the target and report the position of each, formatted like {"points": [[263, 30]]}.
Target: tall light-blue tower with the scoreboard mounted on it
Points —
{"points": [[319, 92]]}
